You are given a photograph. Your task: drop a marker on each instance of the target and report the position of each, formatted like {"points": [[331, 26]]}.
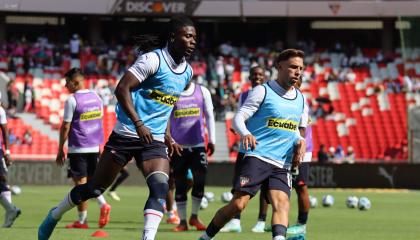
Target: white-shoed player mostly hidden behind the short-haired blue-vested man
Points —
{"points": [[257, 77]]}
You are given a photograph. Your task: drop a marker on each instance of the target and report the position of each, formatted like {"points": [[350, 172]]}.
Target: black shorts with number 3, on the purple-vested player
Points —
{"points": [[192, 158]]}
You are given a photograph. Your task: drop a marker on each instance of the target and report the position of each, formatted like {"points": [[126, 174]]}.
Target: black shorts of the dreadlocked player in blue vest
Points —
{"points": [[126, 148]]}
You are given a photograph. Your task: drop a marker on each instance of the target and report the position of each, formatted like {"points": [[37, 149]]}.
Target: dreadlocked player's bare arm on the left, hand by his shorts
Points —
{"points": [[123, 93]]}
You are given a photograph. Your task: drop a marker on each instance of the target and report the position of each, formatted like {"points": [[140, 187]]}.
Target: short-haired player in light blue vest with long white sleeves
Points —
{"points": [[272, 144]]}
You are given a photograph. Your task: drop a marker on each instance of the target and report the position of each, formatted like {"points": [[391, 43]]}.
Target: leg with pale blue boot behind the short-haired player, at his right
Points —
{"points": [[299, 183]]}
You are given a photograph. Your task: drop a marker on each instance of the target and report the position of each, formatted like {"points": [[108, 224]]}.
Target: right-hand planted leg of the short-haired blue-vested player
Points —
{"points": [[279, 185]]}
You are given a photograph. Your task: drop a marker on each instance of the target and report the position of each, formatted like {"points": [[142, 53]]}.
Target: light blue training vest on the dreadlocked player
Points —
{"points": [[156, 97]]}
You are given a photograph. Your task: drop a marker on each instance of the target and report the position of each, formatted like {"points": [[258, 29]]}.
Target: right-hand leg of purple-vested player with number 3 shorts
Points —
{"points": [[198, 165]]}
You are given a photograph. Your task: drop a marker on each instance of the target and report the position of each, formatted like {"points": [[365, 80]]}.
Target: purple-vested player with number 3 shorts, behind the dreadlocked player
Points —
{"points": [[192, 113]]}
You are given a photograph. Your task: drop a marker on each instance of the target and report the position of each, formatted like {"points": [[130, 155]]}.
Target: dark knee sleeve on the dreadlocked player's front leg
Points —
{"points": [[158, 187]]}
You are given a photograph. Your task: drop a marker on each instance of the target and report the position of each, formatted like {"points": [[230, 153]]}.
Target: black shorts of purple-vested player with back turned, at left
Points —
{"points": [[82, 164]]}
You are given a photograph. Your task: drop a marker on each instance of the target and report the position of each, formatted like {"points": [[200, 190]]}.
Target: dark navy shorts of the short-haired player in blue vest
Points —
{"points": [[252, 173]]}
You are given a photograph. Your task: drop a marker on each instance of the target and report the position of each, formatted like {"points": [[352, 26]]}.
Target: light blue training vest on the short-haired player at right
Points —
{"points": [[276, 127]]}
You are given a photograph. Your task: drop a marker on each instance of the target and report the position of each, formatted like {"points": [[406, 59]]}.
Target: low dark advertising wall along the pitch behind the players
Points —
{"points": [[322, 176]]}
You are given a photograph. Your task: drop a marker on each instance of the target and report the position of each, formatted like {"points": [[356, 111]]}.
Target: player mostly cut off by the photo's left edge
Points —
{"points": [[12, 212]]}
